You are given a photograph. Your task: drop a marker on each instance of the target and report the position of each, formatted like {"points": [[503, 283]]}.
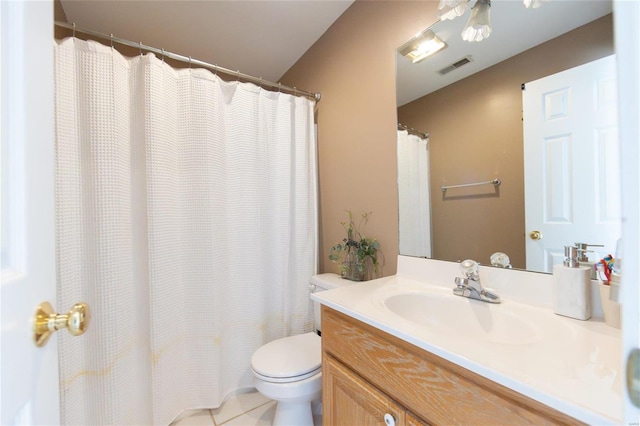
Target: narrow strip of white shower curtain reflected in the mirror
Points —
{"points": [[413, 195]]}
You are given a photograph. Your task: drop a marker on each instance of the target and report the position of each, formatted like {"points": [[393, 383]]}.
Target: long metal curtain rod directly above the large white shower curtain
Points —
{"points": [[188, 59]]}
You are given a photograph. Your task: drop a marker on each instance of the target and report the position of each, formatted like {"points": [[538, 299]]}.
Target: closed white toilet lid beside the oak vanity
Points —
{"points": [[289, 357]]}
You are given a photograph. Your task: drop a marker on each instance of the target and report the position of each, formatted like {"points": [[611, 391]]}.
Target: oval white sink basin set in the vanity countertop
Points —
{"points": [[465, 318]]}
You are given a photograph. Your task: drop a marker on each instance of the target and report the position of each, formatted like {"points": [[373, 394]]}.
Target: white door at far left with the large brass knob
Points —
{"points": [[29, 375]]}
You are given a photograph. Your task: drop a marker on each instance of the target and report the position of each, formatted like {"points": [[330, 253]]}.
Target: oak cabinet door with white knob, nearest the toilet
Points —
{"points": [[348, 400]]}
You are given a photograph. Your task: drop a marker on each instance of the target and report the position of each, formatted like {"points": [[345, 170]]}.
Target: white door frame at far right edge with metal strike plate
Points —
{"points": [[627, 35]]}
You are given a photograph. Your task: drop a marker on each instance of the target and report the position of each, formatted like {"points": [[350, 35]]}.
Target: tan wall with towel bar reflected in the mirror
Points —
{"points": [[476, 134]]}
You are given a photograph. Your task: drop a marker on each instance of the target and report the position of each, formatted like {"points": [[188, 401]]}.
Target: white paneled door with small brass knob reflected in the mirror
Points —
{"points": [[571, 151]]}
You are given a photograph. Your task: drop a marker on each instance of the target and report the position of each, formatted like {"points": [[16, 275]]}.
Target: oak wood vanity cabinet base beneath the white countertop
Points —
{"points": [[368, 374]]}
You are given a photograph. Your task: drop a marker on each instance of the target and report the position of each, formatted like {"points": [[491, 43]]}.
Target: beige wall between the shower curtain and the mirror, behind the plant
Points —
{"points": [[353, 66]]}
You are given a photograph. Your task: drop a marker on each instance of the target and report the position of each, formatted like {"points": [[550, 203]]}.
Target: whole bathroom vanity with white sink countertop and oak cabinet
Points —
{"points": [[403, 350]]}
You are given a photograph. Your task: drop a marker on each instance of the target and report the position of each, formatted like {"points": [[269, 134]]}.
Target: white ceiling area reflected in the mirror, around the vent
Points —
{"points": [[515, 29]]}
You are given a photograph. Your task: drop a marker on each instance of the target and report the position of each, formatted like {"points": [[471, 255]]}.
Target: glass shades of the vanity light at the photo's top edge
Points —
{"points": [[479, 26]]}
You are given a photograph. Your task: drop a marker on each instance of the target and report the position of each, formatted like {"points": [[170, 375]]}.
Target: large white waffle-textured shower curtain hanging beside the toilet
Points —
{"points": [[187, 220]]}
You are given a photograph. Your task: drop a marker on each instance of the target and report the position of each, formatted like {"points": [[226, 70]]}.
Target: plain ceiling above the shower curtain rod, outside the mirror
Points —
{"points": [[259, 38]]}
